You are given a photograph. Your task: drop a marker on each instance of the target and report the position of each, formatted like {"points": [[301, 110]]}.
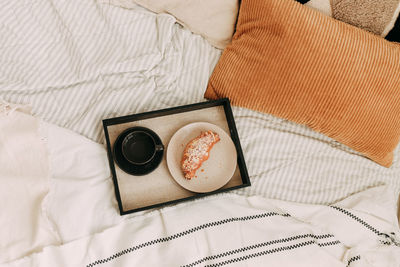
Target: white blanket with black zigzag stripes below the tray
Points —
{"points": [[242, 231]]}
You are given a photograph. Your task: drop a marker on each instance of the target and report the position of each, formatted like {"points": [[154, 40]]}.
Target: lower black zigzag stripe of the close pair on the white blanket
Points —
{"points": [[270, 251]]}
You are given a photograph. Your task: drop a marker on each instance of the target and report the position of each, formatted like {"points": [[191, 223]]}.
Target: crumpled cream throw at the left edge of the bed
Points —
{"points": [[24, 184]]}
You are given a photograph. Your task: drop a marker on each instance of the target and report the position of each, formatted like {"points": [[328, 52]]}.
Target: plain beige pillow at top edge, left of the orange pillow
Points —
{"points": [[214, 20]]}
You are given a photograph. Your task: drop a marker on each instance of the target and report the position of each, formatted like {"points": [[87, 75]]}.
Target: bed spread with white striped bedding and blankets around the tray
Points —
{"points": [[66, 66]]}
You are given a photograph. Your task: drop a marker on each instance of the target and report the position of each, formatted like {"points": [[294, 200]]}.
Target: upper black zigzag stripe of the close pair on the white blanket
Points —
{"points": [[264, 244]]}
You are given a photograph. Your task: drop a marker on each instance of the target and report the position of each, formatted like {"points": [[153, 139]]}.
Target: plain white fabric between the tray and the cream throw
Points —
{"points": [[81, 199]]}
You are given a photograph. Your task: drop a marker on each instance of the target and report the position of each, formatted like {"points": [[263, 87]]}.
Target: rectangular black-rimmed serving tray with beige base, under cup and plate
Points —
{"points": [[156, 189]]}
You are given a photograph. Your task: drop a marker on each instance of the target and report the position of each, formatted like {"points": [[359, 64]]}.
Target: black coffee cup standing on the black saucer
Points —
{"points": [[139, 146]]}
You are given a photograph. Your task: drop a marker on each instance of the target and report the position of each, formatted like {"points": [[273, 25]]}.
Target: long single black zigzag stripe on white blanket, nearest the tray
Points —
{"points": [[184, 233]]}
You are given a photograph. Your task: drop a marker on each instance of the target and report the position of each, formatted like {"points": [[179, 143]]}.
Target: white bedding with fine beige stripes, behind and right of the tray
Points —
{"points": [[78, 62]]}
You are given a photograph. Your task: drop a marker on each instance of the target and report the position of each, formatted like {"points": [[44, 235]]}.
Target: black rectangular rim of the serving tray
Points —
{"points": [[225, 102]]}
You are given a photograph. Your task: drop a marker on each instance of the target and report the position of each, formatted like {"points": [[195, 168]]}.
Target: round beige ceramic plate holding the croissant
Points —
{"points": [[216, 171]]}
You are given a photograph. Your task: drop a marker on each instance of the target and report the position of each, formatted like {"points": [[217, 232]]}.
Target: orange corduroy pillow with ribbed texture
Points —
{"points": [[295, 63]]}
